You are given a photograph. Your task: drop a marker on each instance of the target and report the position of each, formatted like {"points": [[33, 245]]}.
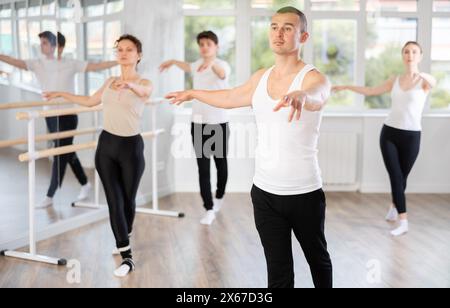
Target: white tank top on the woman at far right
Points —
{"points": [[407, 107]]}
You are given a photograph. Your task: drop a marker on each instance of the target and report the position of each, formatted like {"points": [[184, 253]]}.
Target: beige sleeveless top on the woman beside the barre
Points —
{"points": [[122, 112]]}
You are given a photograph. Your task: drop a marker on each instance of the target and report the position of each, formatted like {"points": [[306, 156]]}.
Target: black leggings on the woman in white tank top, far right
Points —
{"points": [[400, 150]]}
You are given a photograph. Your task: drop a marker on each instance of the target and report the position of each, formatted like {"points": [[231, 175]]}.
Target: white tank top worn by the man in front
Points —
{"points": [[287, 153]]}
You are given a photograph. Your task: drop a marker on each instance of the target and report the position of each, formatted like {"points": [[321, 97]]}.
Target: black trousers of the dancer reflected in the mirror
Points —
{"points": [[61, 124]]}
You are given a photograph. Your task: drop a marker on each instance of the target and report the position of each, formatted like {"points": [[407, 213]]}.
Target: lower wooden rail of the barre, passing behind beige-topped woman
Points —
{"points": [[26, 157]]}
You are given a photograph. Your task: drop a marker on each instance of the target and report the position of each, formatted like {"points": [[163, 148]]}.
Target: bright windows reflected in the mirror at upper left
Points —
{"points": [[99, 26]]}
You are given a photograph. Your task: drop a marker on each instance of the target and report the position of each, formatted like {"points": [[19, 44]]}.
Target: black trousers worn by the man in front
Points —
{"points": [[276, 218]]}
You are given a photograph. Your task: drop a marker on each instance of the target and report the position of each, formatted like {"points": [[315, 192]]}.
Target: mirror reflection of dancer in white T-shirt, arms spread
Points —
{"points": [[58, 74]]}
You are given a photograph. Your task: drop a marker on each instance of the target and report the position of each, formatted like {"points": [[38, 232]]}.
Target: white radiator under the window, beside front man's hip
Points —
{"points": [[338, 158]]}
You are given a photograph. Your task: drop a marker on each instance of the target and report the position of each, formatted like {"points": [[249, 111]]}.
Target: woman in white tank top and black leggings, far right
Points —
{"points": [[401, 134]]}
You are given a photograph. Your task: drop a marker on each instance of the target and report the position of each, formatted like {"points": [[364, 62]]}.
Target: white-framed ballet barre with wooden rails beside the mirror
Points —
{"points": [[33, 155]]}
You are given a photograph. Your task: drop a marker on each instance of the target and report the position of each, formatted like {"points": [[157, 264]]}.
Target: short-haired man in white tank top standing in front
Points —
{"points": [[287, 196]]}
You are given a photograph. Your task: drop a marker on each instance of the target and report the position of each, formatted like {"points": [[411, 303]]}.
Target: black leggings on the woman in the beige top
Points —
{"points": [[120, 163]]}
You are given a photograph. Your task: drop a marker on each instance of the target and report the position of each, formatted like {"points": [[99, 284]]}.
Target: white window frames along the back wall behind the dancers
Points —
{"points": [[244, 13]]}
